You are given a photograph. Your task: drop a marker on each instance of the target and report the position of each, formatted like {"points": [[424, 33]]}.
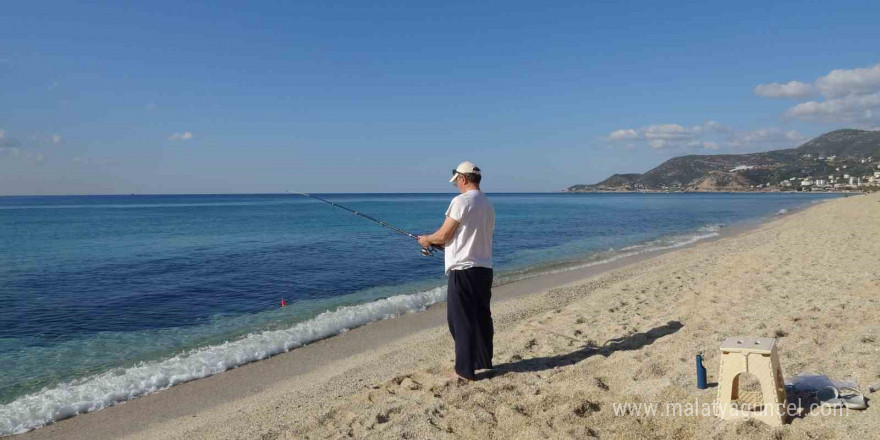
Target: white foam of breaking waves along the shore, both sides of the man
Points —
{"points": [[107, 389]]}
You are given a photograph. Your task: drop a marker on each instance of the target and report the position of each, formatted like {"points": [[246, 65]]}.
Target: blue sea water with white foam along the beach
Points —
{"points": [[107, 298]]}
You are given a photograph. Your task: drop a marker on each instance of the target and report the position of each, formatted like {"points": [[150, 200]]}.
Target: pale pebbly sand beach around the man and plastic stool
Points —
{"points": [[565, 356]]}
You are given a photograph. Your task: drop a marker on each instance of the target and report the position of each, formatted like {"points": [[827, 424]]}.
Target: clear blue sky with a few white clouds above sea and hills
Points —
{"points": [[169, 97]]}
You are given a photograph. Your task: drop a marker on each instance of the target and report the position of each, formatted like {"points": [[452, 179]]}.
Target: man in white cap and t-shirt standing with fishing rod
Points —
{"points": [[466, 235]]}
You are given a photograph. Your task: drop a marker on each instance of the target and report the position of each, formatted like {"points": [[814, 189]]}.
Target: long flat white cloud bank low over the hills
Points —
{"points": [[710, 135]]}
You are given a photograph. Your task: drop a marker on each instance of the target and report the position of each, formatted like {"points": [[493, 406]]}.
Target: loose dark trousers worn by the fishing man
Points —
{"points": [[470, 320]]}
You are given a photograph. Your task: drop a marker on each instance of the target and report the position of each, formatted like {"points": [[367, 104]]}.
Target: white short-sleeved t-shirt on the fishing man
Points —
{"points": [[471, 245]]}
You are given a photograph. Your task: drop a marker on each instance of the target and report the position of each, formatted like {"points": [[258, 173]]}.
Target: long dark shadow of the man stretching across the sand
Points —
{"points": [[632, 342]]}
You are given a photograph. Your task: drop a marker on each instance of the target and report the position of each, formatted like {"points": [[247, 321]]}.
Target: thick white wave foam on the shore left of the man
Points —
{"points": [[106, 389]]}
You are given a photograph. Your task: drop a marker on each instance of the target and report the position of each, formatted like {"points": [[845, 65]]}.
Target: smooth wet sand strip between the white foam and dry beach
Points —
{"points": [[189, 398]]}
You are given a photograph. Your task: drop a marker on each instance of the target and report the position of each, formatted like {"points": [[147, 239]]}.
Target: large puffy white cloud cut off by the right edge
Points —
{"points": [[852, 96]]}
